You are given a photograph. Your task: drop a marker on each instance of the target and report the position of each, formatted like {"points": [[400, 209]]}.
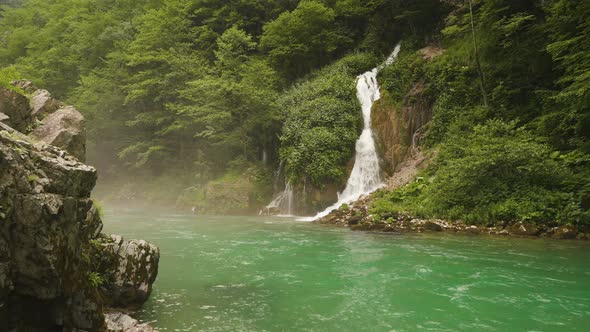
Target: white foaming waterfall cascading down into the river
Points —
{"points": [[365, 176]]}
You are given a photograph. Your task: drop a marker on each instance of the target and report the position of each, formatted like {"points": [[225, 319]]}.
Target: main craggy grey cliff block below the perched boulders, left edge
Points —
{"points": [[47, 222]]}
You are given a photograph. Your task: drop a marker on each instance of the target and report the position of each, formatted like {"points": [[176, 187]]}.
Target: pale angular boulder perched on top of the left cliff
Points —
{"points": [[64, 128]]}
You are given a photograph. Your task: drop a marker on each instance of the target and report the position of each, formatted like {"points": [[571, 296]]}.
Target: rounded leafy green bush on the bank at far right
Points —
{"points": [[501, 172]]}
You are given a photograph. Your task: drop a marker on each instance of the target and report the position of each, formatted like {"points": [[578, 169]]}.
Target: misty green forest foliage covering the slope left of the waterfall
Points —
{"points": [[190, 89]]}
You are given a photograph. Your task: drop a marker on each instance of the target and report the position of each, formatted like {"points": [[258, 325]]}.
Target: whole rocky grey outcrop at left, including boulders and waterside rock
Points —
{"points": [[50, 279]]}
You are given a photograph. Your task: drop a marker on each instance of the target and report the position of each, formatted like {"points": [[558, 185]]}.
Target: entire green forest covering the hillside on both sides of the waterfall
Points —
{"points": [[187, 99]]}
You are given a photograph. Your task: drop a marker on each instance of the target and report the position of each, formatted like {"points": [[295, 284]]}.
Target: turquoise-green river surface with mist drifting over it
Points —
{"points": [[276, 274]]}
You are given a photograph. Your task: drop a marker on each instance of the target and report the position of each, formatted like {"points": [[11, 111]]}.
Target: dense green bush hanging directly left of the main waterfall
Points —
{"points": [[322, 122]]}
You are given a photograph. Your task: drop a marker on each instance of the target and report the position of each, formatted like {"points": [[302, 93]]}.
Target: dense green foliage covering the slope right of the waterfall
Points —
{"points": [[525, 156]]}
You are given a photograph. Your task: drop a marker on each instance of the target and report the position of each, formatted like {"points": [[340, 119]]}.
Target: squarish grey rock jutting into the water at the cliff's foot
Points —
{"points": [[130, 268]]}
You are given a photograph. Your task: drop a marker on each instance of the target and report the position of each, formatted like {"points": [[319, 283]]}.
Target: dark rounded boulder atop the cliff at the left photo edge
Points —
{"points": [[14, 110]]}
